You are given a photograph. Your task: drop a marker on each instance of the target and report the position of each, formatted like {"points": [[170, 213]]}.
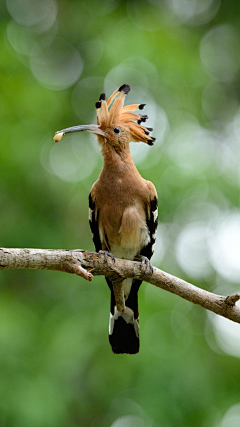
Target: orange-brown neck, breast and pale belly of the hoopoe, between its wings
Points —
{"points": [[119, 187]]}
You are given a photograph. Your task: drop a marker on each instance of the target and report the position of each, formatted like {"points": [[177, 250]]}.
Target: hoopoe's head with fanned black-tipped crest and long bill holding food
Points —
{"points": [[116, 125]]}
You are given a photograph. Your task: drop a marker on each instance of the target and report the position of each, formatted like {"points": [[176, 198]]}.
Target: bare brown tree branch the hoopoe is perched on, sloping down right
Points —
{"points": [[88, 264]]}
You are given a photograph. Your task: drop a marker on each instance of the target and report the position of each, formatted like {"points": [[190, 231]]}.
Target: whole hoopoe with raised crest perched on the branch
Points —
{"points": [[123, 213]]}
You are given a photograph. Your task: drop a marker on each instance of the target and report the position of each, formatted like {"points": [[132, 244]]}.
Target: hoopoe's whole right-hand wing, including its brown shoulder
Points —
{"points": [[151, 221]]}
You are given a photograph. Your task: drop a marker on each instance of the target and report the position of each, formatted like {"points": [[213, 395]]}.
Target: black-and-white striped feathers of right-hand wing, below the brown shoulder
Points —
{"points": [[152, 223]]}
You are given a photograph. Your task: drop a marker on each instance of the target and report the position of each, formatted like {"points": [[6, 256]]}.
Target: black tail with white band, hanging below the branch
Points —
{"points": [[124, 327]]}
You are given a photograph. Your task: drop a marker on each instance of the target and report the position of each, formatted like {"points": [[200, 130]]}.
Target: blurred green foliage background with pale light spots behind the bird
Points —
{"points": [[181, 58]]}
